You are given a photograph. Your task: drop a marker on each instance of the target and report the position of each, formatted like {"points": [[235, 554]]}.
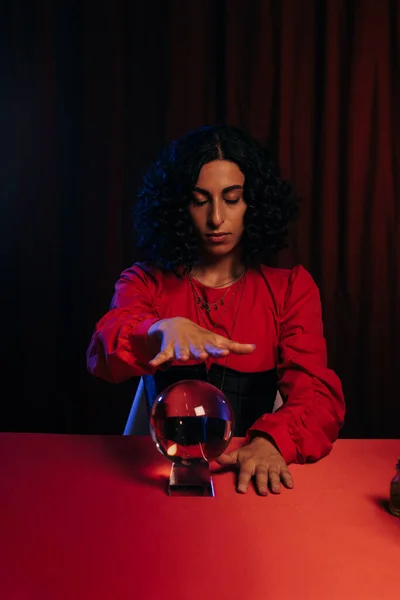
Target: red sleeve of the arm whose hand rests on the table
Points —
{"points": [[309, 421]]}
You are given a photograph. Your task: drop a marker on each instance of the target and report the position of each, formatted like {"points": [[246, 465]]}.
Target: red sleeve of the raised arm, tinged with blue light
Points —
{"points": [[118, 348]]}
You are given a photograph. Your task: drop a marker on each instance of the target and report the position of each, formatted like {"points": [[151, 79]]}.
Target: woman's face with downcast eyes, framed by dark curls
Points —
{"points": [[217, 207]]}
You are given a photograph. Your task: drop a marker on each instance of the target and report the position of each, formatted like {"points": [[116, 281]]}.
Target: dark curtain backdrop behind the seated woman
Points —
{"points": [[89, 94]]}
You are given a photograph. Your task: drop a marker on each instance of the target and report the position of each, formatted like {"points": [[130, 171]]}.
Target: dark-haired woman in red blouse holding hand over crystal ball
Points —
{"points": [[204, 305]]}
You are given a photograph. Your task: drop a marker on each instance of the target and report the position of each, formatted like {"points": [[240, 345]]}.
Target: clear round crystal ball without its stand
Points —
{"points": [[191, 421]]}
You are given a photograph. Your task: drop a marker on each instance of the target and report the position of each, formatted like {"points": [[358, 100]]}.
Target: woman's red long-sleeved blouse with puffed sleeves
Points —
{"points": [[277, 310]]}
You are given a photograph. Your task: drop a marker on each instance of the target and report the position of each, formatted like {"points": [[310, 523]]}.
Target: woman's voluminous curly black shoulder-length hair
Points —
{"points": [[165, 233]]}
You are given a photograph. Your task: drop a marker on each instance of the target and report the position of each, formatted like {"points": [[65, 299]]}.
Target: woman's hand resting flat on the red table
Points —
{"points": [[259, 459]]}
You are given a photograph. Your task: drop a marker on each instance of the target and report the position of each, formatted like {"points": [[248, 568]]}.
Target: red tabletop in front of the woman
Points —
{"points": [[88, 518]]}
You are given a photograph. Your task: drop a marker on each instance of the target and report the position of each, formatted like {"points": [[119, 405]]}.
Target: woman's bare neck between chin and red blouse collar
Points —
{"points": [[217, 271]]}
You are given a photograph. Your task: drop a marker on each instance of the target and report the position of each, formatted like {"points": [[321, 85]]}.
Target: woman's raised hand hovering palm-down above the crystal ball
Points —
{"points": [[179, 338]]}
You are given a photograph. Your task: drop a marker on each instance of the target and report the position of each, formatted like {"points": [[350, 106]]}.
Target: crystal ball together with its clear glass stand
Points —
{"points": [[191, 424]]}
